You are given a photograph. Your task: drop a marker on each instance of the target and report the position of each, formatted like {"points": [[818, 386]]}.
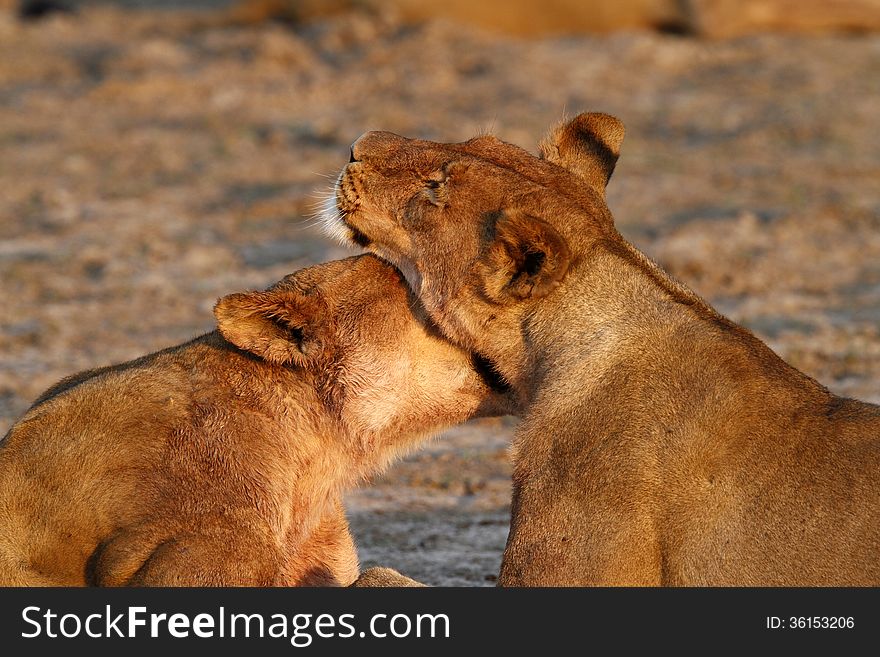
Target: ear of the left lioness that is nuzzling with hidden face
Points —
{"points": [[280, 326]]}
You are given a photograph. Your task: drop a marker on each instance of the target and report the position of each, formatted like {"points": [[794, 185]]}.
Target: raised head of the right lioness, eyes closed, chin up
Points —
{"points": [[481, 229]]}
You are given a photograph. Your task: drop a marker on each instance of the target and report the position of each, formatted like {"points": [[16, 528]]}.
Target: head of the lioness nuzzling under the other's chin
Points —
{"points": [[354, 327]]}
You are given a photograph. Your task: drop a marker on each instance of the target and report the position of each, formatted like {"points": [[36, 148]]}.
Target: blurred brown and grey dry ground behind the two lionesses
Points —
{"points": [[155, 155]]}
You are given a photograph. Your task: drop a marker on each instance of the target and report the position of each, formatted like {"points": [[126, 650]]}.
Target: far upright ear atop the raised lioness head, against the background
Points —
{"points": [[588, 146]]}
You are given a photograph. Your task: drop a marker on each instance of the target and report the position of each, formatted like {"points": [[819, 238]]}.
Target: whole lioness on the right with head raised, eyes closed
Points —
{"points": [[661, 443]]}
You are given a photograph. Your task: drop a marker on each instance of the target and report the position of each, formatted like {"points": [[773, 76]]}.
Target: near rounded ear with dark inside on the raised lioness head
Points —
{"points": [[527, 258]]}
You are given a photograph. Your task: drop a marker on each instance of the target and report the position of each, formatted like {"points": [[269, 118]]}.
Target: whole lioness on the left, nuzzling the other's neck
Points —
{"points": [[222, 461]]}
